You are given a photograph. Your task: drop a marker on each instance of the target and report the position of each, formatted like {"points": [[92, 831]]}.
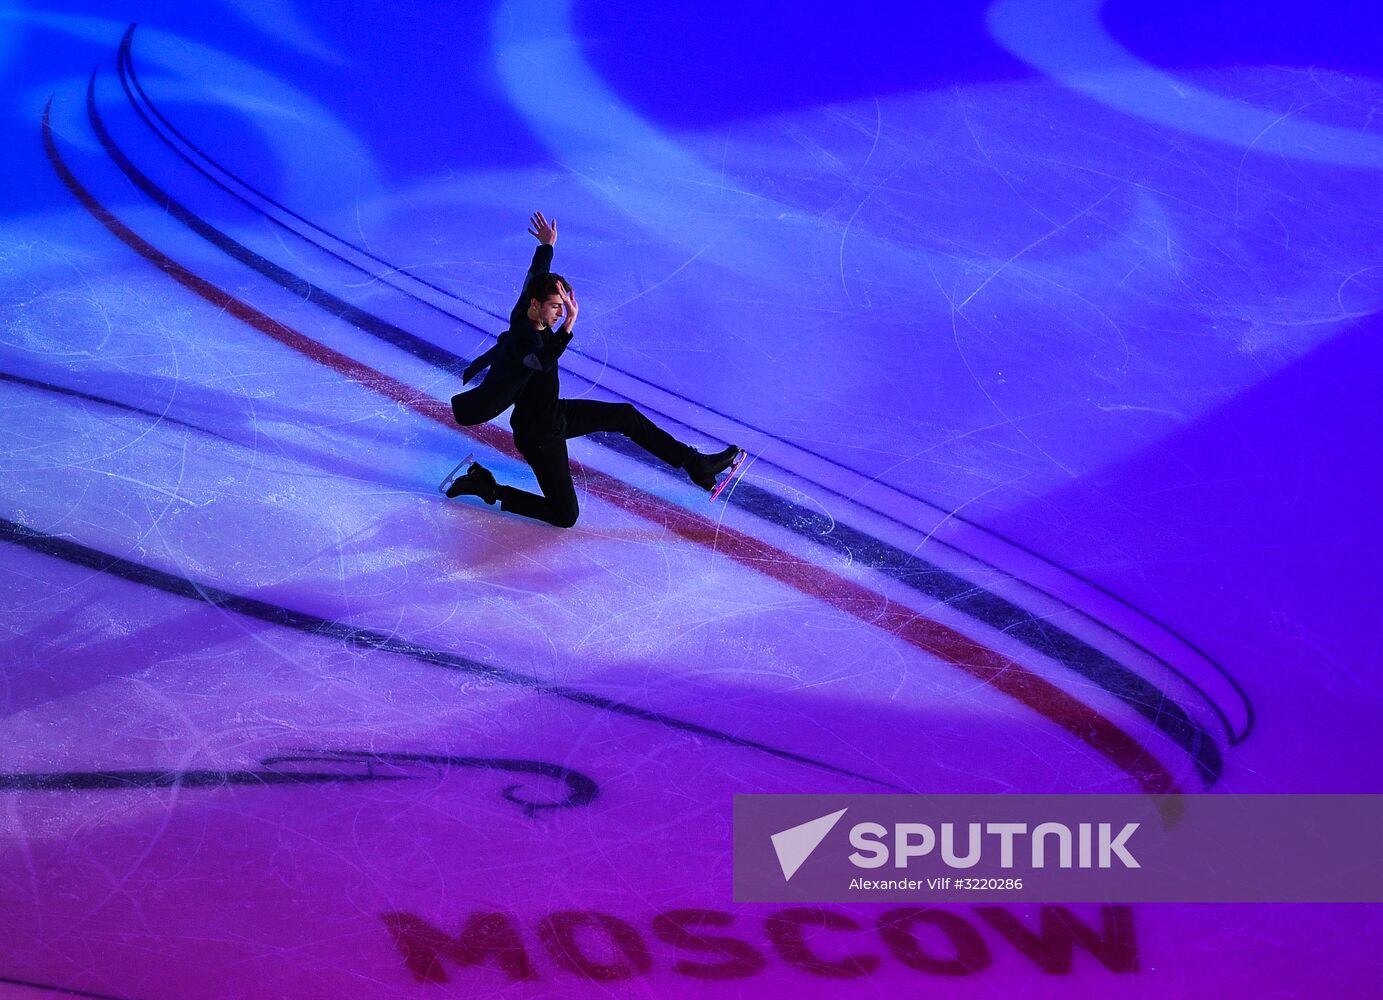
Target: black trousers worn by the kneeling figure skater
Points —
{"points": [[547, 456]]}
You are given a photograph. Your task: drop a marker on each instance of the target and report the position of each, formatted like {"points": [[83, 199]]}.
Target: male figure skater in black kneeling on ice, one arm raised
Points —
{"points": [[523, 371]]}
